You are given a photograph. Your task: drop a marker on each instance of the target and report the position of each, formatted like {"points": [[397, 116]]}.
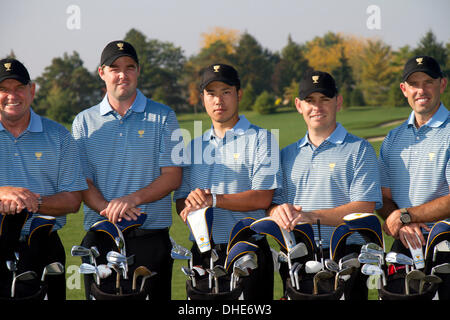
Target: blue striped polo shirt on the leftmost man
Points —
{"points": [[43, 159]]}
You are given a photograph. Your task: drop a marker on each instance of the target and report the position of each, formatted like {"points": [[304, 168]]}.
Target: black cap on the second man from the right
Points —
{"points": [[317, 81]]}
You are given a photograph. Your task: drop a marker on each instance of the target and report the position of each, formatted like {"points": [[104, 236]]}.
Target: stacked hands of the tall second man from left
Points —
{"points": [[123, 207]]}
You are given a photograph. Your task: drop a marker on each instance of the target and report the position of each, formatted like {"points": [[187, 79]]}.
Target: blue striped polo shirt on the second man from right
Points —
{"points": [[342, 169]]}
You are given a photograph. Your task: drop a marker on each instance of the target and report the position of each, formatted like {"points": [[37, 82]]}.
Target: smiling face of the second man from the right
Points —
{"points": [[319, 111]]}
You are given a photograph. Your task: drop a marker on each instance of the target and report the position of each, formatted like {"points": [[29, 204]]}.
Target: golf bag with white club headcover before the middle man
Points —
{"points": [[235, 269]]}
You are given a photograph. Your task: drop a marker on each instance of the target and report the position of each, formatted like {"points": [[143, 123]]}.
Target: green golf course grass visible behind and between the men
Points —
{"points": [[361, 121]]}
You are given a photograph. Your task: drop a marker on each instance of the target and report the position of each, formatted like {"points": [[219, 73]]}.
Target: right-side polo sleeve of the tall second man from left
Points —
{"points": [[169, 145]]}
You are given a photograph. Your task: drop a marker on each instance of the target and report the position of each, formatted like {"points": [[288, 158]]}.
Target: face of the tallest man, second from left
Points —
{"points": [[120, 78]]}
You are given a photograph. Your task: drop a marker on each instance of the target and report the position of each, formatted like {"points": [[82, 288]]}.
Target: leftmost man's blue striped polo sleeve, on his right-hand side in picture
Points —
{"points": [[70, 177]]}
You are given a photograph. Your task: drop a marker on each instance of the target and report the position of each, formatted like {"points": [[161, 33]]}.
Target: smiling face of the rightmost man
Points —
{"points": [[423, 93]]}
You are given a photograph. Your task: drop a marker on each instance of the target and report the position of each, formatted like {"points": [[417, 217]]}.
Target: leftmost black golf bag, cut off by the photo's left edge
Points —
{"points": [[26, 259]]}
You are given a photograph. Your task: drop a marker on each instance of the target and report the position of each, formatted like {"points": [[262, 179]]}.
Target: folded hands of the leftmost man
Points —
{"points": [[14, 199]]}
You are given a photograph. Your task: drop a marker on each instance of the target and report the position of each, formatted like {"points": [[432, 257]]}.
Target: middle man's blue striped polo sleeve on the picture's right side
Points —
{"points": [[266, 169]]}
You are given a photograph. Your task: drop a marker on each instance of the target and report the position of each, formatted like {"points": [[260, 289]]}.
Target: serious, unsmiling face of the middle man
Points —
{"points": [[221, 102]]}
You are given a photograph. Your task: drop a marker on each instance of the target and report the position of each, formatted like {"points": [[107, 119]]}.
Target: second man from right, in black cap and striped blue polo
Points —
{"points": [[327, 174]]}
